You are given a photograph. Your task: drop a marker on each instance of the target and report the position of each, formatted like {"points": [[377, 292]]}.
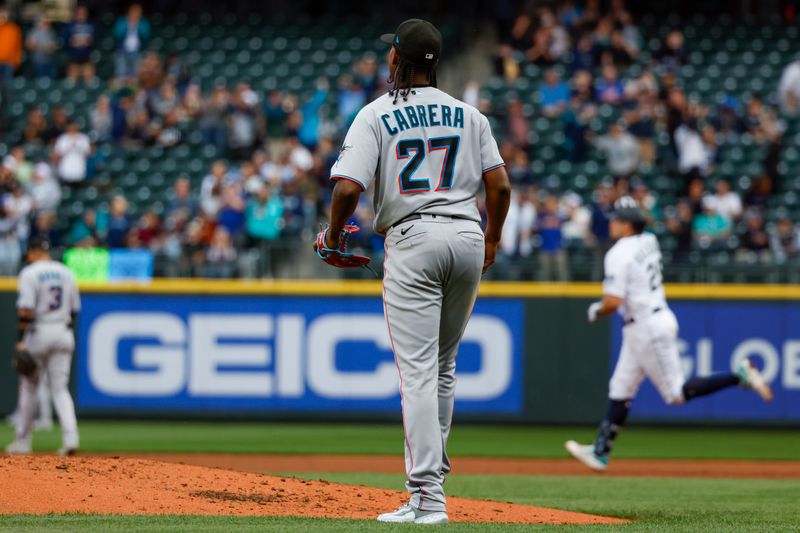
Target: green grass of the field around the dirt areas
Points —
{"points": [[655, 504]]}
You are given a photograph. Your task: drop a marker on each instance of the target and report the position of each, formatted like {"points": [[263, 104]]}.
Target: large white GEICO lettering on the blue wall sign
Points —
{"points": [[267, 356]]}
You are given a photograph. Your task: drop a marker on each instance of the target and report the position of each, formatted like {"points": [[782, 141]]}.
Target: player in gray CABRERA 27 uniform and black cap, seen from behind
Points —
{"points": [[425, 155]]}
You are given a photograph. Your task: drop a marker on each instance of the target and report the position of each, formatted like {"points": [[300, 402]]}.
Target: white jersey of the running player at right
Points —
{"points": [[633, 272]]}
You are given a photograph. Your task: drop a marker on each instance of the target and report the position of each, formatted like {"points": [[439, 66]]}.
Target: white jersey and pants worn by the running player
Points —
{"points": [[650, 333]]}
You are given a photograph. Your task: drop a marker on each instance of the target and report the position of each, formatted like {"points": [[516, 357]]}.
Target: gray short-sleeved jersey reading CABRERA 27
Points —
{"points": [[424, 155]]}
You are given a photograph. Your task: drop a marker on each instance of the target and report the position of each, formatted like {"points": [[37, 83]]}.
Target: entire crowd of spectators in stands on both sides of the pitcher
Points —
{"points": [[270, 184]]}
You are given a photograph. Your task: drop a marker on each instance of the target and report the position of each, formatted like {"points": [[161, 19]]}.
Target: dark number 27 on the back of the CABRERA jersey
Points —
{"points": [[408, 183]]}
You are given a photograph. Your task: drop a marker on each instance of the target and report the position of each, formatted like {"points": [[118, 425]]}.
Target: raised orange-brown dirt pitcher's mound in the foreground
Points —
{"points": [[45, 484]]}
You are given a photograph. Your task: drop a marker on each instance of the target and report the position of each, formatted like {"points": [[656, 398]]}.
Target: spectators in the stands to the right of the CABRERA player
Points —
{"points": [[582, 51]]}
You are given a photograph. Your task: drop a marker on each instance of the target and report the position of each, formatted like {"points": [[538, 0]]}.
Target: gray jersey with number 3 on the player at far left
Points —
{"points": [[48, 288]]}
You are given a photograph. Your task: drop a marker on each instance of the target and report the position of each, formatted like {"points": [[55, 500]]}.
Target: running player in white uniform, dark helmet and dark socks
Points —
{"points": [[633, 287]]}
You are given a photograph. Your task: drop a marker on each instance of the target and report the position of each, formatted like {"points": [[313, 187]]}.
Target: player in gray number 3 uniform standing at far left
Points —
{"points": [[47, 305]]}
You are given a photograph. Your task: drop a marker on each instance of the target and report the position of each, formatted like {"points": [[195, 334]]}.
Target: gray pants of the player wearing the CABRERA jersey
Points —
{"points": [[431, 277]]}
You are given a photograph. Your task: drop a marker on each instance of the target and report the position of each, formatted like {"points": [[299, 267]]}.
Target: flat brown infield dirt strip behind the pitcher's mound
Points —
{"points": [[478, 465]]}
